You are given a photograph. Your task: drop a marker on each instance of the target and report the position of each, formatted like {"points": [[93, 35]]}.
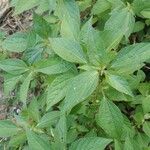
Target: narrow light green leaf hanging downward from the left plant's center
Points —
{"points": [[24, 88]]}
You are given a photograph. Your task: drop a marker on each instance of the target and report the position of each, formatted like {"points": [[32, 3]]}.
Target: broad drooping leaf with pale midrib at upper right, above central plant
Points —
{"points": [[122, 20]]}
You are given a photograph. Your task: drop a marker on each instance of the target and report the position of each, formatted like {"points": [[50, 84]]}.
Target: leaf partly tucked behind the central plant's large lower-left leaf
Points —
{"points": [[57, 89]]}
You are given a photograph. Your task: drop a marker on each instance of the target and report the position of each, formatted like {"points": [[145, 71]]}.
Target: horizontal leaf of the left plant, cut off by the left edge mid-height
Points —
{"points": [[13, 66]]}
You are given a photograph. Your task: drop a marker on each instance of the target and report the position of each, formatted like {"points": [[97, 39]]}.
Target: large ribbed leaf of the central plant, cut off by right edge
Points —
{"points": [[131, 58]]}
